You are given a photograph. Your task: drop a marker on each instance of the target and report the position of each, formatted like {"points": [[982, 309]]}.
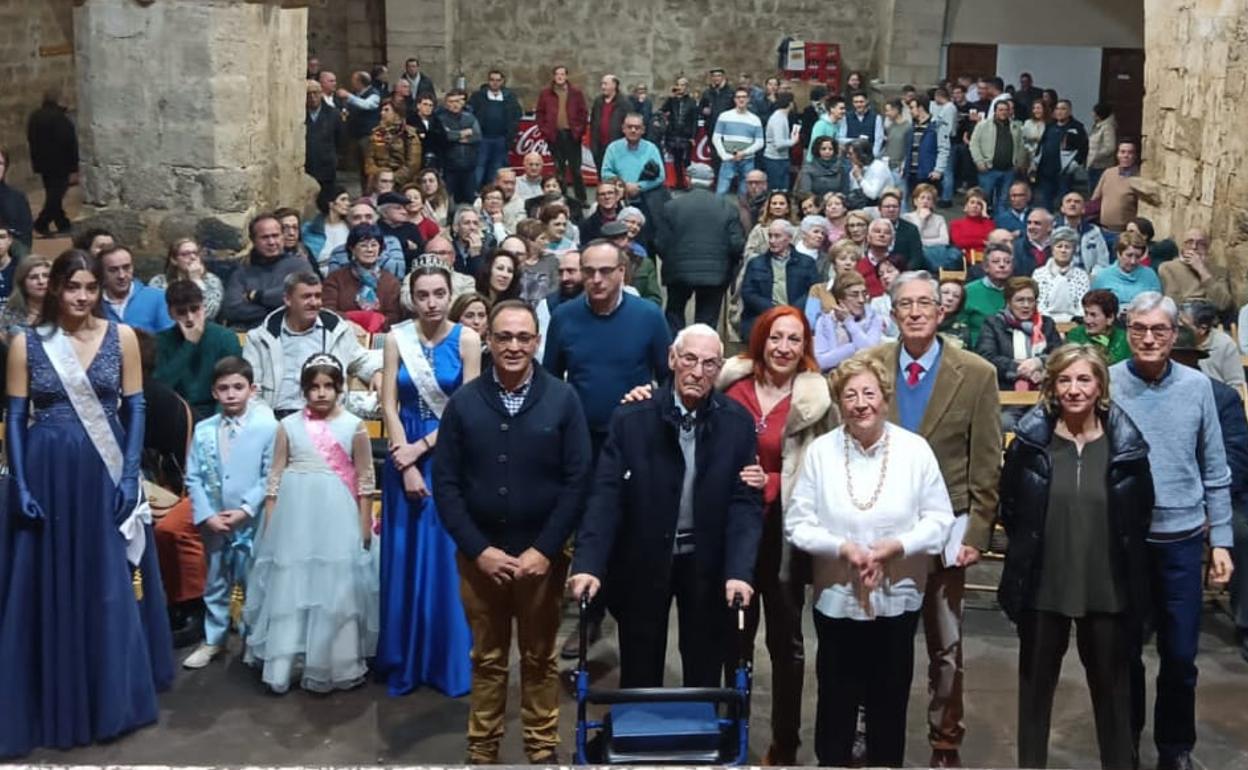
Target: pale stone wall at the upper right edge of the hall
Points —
{"points": [[1196, 108]]}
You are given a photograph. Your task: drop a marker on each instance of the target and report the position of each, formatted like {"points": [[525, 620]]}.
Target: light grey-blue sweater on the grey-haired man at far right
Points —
{"points": [[1179, 419]]}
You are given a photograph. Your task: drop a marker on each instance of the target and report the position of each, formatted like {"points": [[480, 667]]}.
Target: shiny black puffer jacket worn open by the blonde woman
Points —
{"points": [[1025, 481]]}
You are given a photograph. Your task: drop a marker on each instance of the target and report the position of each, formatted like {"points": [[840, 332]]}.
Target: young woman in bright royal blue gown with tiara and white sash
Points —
{"points": [[425, 638]]}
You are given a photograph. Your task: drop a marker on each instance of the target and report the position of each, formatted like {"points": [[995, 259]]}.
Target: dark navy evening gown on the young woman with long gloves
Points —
{"points": [[80, 658]]}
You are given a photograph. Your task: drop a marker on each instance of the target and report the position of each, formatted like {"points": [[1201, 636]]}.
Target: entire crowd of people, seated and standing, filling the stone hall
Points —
{"points": [[492, 321]]}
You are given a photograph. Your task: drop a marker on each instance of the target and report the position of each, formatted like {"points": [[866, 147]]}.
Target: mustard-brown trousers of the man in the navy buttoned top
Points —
{"points": [[535, 606]]}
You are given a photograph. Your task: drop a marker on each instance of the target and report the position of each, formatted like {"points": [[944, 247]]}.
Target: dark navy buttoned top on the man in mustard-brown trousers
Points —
{"points": [[512, 482]]}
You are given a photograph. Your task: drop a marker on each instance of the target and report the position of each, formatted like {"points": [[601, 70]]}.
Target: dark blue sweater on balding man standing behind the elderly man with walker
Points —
{"points": [[605, 358]]}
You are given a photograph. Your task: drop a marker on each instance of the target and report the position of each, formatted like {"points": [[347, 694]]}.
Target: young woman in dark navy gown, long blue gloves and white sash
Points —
{"points": [[84, 637]]}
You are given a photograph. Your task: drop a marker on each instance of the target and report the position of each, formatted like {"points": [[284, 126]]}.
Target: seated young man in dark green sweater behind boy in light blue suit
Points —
{"points": [[188, 353]]}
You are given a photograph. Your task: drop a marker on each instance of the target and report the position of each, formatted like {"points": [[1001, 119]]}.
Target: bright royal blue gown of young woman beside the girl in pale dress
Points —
{"points": [[425, 633]]}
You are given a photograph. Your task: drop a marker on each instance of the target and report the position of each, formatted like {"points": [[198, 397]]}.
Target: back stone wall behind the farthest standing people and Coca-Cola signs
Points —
{"points": [[648, 42]]}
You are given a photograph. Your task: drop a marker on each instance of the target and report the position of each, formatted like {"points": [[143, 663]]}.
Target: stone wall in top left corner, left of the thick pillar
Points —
{"points": [[37, 54]]}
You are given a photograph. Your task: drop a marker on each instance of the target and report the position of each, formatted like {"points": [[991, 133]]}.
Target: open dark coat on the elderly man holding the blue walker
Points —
{"points": [[627, 536]]}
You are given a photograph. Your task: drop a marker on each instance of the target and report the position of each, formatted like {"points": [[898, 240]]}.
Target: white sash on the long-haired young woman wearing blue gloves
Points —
{"points": [[95, 422]]}
